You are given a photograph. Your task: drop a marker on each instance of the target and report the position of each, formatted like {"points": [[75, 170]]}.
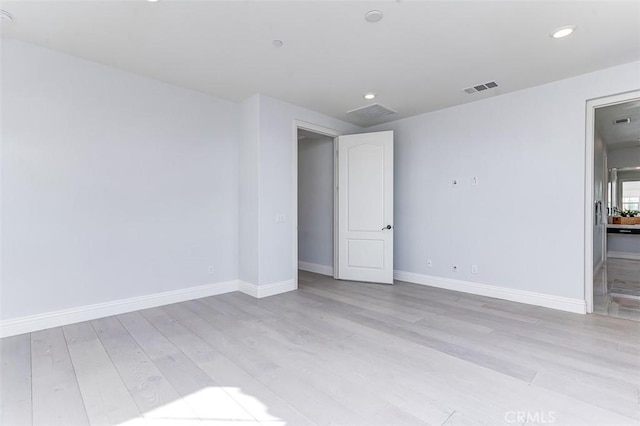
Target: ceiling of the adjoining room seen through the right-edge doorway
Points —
{"points": [[619, 136]]}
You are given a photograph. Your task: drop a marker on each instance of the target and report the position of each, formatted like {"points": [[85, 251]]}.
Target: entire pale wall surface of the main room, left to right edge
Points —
{"points": [[115, 185]]}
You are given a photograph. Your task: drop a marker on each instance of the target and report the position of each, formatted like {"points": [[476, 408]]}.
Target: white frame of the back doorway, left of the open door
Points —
{"points": [[332, 133]]}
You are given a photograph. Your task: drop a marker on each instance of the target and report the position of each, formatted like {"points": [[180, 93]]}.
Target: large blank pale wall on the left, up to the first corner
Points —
{"points": [[113, 185]]}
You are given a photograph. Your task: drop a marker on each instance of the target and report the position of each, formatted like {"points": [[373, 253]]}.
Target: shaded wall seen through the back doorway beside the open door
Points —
{"points": [[315, 201]]}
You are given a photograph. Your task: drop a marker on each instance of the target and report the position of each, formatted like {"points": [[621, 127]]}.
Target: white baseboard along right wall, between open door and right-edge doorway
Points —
{"points": [[531, 298]]}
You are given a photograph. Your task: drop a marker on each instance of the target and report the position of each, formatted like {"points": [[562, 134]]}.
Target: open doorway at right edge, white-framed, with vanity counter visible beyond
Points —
{"points": [[614, 177]]}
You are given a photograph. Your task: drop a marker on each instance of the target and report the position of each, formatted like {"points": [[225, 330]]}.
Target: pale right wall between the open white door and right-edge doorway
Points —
{"points": [[523, 225]]}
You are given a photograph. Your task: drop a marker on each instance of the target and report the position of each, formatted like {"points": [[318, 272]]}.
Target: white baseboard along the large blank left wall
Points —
{"points": [[46, 320]]}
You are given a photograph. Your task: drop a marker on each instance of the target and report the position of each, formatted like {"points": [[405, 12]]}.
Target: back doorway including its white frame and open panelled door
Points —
{"points": [[343, 204]]}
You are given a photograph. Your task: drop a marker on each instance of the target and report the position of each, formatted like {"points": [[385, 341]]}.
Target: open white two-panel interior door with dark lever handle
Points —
{"points": [[365, 207]]}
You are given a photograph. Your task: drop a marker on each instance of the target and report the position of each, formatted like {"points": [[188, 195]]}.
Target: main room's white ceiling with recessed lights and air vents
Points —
{"points": [[417, 59]]}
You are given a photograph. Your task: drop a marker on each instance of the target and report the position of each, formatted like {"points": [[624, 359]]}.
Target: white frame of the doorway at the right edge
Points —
{"points": [[591, 107]]}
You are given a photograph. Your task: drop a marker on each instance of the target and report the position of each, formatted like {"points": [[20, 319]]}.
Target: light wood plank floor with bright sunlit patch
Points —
{"points": [[330, 353]]}
